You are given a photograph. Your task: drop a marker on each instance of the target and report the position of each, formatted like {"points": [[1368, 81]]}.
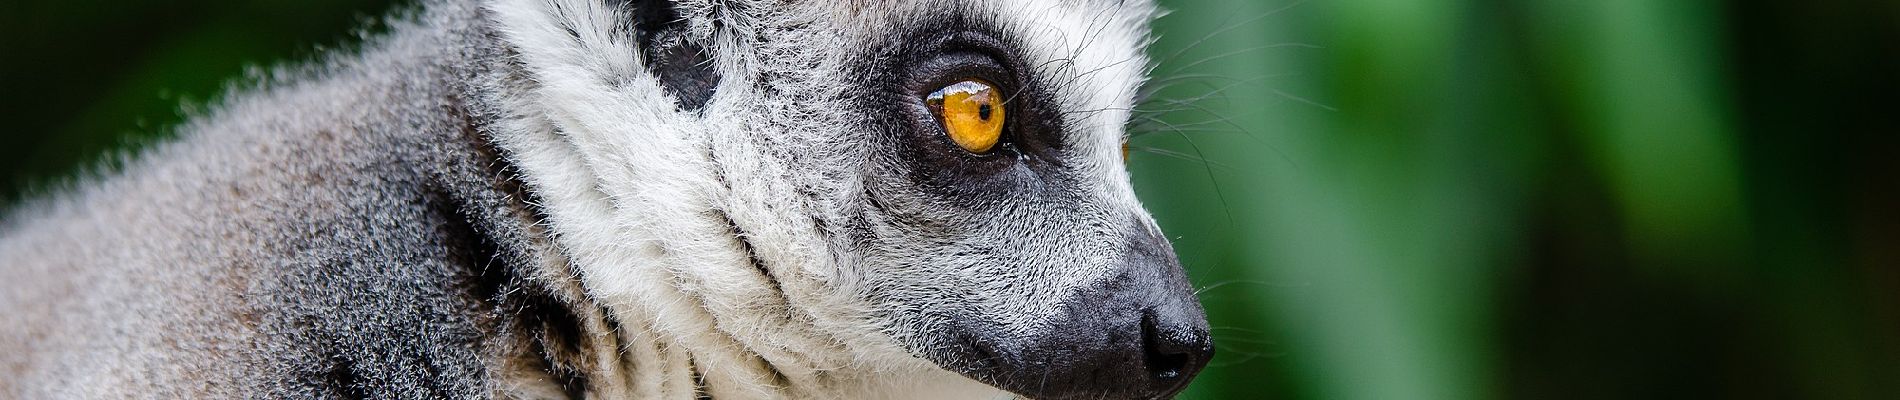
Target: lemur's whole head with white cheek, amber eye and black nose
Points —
{"points": [[826, 191]]}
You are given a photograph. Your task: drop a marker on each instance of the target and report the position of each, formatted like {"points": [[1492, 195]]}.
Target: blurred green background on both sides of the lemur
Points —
{"points": [[1378, 198]]}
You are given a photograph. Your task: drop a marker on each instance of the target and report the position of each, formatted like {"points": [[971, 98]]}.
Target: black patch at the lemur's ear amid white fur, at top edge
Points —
{"points": [[683, 65]]}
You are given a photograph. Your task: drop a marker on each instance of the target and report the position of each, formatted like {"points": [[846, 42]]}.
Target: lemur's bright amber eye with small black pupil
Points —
{"points": [[972, 115]]}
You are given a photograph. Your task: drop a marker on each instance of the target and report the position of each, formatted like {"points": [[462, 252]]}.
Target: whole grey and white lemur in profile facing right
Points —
{"points": [[632, 200]]}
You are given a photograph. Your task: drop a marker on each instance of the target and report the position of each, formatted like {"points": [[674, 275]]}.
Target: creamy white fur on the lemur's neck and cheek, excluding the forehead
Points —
{"points": [[641, 208]]}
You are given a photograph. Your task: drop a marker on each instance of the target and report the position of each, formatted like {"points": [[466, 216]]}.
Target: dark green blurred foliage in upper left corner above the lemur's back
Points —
{"points": [[94, 77]]}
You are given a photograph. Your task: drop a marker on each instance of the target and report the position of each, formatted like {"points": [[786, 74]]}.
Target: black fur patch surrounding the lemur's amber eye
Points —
{"points": [[900, 77]]}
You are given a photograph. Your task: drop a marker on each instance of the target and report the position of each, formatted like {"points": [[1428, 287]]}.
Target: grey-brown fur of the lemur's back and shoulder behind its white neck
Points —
{"points": [[311, 238]]}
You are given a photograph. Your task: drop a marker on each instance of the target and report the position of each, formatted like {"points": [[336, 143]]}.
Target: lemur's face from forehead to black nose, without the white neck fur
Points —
{"points": [[989, 213]]}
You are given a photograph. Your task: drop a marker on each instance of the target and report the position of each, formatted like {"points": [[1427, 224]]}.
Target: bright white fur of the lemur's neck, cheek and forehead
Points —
{"points": [[647, 200]]}
